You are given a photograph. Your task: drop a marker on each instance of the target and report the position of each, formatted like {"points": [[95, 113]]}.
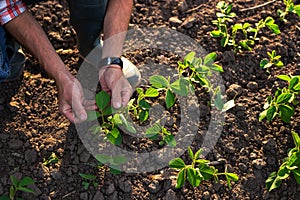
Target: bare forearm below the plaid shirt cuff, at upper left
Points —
{"points": [[30, 34]]}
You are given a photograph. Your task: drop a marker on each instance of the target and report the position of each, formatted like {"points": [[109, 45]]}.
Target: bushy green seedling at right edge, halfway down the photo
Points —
{"points": [[283, 102]]}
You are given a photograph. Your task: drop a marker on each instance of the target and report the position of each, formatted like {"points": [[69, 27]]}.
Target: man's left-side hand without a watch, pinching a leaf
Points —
{"points": [[71, 99]]}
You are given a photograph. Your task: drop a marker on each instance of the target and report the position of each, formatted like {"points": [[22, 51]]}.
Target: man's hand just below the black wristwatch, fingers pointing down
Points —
{"points": [[114, 83]]}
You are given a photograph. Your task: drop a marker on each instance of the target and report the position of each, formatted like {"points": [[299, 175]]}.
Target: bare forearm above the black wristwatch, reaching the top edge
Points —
{"points": [[115, 26]]}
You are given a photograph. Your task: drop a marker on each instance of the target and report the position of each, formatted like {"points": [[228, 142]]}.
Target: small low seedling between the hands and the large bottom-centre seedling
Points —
{"points": [[157, 130]]}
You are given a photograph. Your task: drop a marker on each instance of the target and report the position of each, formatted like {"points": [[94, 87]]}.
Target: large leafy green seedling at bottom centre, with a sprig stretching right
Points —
{"points": [[199, 170]]}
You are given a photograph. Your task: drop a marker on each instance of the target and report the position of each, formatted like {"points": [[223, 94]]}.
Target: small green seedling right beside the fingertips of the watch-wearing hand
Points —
{"points": [[140, 108]]}
